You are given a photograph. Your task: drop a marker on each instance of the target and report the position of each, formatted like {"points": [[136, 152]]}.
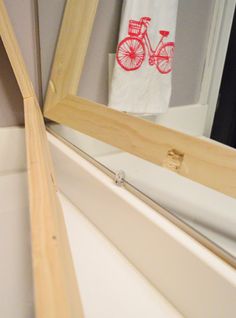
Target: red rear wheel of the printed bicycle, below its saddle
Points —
{"points": [[165, 58]]}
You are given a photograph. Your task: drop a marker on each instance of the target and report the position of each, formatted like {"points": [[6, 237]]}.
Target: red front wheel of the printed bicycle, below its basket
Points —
{"points": [[130, 53]]}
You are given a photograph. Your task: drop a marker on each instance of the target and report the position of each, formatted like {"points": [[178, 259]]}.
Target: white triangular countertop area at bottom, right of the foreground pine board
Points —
{"points": [[109, 285]]}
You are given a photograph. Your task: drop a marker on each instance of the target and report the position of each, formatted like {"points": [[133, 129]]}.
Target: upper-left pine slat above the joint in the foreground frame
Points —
{"points": [[11, 46]]}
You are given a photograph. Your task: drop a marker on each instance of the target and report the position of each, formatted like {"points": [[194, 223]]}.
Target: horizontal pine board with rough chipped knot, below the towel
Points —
{"points": [[208, 163]]}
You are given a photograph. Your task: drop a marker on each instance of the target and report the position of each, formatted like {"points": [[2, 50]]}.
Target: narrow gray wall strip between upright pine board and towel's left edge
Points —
{"points": [[94, 79]]}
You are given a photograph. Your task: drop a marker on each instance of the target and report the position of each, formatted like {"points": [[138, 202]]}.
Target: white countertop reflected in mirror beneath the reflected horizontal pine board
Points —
{"points": [[180, 195]]}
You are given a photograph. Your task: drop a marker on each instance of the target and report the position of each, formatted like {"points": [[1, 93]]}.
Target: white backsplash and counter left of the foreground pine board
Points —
{"points": [[16, 291]]}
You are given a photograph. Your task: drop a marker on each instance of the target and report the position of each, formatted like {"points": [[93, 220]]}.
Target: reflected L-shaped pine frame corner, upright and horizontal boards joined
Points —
{"points": [[210, 164]]}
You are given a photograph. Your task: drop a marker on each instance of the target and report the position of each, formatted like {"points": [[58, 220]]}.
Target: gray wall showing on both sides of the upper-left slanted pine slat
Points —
{"points": [[23, 17]]}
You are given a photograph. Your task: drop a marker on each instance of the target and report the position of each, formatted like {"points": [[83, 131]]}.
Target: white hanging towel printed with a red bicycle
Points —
{"points": [[141, 79]]}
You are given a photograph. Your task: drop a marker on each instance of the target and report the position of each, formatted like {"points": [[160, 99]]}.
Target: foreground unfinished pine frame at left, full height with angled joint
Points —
{"points": [[56, 291]]}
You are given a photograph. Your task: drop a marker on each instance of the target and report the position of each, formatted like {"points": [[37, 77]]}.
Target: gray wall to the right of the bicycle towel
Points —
{"points": [[193, 24]]}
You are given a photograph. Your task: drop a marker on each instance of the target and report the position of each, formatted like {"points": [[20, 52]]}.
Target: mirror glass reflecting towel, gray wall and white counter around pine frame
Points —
{"points": [[164, 61]]}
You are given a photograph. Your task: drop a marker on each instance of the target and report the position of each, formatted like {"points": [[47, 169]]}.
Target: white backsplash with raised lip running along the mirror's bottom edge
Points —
{"points": [[191, 277]]}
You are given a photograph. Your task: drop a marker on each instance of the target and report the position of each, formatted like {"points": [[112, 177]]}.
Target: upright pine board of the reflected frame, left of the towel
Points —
{"points": [[71, 50]]}
